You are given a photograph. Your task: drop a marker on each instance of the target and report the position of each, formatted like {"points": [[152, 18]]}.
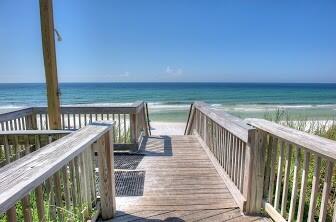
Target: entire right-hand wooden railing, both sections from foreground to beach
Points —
{"points": [[267, 167]]}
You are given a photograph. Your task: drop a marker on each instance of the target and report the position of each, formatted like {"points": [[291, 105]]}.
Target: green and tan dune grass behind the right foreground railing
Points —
{"points": [[325, 129]]}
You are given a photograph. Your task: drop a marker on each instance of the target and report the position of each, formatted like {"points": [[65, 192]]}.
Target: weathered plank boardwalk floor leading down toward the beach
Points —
{"points": [[180, 184]]}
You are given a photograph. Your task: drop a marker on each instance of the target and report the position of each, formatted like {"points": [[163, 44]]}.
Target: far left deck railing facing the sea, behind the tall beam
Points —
{"points": [[131, 122]]}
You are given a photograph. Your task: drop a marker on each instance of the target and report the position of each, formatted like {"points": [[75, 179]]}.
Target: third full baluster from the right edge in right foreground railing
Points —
{"points": [[305, 172]]}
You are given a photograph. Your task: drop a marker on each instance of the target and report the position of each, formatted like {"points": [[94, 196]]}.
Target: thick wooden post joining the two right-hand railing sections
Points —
{"points": [[254, 171]]}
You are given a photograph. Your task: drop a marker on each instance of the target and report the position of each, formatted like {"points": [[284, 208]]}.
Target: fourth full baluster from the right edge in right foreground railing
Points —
{"points": [[295, 185]]}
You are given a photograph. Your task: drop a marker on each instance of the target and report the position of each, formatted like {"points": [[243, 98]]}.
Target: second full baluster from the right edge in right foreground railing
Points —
{"points": [[315, 186]]}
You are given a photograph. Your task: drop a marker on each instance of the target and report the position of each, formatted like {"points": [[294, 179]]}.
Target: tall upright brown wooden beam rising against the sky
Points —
{"points": [[50, 66]]}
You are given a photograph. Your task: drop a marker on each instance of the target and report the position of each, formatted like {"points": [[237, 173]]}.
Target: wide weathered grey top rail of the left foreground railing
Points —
{"points": [[31, 170]]}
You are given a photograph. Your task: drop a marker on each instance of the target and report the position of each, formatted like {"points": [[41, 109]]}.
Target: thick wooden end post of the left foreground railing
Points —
{"points": [[106, 175]]}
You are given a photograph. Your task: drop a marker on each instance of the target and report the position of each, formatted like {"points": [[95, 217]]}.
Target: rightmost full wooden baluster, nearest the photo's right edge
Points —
{"points": [[326, 191]]}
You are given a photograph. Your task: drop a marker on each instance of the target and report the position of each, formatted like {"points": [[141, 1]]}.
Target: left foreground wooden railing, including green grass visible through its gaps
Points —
{"points": [[59, 180]]}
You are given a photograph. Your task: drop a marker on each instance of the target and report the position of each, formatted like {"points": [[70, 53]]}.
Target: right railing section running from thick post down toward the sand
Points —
{"points": [[231, 142]]}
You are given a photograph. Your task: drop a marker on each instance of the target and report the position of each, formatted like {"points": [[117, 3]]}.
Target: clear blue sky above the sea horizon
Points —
{"points": [[173, 40]]}
